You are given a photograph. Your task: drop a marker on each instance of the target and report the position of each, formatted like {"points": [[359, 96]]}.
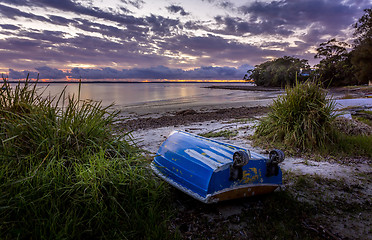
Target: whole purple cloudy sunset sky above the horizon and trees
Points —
{"points": [[164, 39]]}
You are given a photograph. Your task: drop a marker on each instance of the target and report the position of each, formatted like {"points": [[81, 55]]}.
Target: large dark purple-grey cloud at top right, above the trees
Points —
{"points": [[288, 14]]}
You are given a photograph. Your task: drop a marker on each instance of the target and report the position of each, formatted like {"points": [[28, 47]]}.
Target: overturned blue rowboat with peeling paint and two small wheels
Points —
{"points": [[213, 171]]}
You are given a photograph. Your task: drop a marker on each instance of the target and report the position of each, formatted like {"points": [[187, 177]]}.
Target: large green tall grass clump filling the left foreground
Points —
{"points": [[64, 174]]}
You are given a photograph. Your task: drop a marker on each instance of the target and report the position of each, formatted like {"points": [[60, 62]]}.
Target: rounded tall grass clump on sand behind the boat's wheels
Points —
{"points": [[302, 118]]}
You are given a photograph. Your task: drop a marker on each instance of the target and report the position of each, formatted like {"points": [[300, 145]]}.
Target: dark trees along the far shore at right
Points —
{"points": [[341, 64]]}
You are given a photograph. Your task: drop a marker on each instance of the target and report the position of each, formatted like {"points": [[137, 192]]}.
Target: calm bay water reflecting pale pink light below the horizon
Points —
{"points": [[144, 98]]}
